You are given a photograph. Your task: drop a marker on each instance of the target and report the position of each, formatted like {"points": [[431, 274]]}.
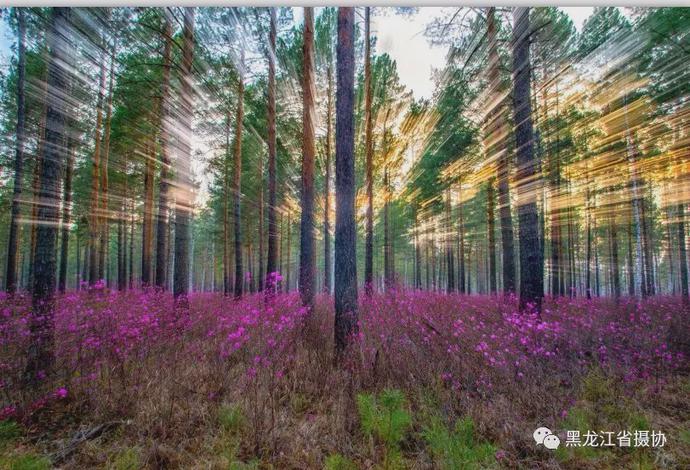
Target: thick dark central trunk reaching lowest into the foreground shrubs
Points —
{"points": [[345, 228]]}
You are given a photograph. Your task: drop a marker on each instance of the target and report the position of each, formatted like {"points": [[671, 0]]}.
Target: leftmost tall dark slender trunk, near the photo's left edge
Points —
{"points": [[13, 238]]}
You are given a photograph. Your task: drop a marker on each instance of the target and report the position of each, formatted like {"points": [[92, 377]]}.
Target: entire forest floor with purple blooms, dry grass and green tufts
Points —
{"points": [[432, 381]]}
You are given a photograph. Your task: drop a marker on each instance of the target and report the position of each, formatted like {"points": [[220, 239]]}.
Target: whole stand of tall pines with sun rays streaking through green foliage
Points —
{"points": [[235, 150]]}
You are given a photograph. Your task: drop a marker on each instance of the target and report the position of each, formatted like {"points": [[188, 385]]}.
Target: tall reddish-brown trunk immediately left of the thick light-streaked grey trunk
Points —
{"points": [[162, 226]]}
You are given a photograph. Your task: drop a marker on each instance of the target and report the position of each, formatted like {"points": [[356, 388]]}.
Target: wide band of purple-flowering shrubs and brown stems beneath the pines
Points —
{"points": [[133, 355]]}
